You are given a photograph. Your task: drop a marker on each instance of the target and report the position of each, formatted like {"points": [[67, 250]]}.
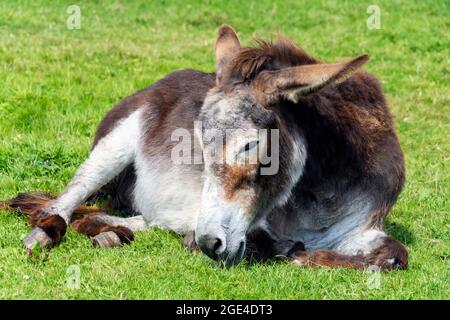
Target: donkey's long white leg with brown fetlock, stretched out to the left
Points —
{"points": [[109, 157]]}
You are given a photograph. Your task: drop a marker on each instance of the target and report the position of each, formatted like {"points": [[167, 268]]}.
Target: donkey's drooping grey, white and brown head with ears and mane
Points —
{"points": [[240, 118]]}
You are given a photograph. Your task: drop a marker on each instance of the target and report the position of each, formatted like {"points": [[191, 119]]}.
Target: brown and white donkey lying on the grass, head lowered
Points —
{"points": [[340, 164]]}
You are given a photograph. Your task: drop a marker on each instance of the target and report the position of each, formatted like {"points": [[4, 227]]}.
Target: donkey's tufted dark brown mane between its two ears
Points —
{"points": [[267, 55]]}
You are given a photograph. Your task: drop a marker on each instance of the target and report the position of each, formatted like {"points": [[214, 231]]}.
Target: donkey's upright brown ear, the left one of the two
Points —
{"points": [[227, 44]]}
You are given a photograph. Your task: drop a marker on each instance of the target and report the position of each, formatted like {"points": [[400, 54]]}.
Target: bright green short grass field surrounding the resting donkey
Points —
{"points": [[56, 85]]}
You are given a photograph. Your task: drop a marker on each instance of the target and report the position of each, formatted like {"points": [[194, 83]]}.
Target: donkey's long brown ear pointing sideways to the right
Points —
{"points": [[295, 82]]}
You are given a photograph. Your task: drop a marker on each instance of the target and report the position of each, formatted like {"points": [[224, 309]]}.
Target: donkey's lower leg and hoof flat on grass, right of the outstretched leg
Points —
{"points": [[109, 231]]}
